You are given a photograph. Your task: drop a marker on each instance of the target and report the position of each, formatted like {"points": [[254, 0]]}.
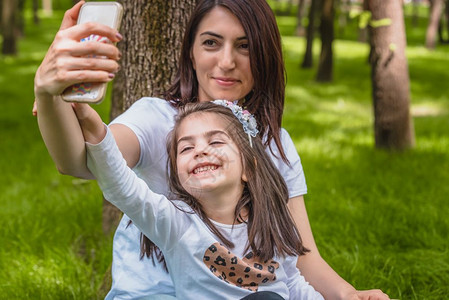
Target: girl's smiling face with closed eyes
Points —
{"points": [[208, 161]]}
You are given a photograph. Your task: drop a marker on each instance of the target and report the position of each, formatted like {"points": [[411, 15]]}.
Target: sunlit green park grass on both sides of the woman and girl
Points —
{"points": [[379, 217]]}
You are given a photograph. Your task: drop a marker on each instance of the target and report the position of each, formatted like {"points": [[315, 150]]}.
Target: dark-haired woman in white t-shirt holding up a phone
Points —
{"points": [[227, 53]]}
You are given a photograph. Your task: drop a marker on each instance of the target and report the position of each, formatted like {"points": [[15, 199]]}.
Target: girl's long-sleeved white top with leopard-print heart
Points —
{"points": [[199, 265]]}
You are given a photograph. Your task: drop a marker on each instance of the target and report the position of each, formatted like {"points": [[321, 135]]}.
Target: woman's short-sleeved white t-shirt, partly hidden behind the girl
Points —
{"points": [[151, 119]]}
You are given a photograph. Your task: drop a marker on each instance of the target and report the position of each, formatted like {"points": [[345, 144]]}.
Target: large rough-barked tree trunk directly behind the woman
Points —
{"points": [[153, 32]]}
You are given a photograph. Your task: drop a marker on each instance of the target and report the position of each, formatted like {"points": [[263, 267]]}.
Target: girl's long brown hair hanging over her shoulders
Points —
{"points": [[271, 229]]}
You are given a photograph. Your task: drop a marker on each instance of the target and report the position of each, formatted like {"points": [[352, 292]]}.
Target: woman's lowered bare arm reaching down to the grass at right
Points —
{"points": [[316, 271]]}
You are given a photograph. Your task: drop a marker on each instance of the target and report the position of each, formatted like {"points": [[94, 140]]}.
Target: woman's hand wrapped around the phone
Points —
{"points": [[67, 61]]}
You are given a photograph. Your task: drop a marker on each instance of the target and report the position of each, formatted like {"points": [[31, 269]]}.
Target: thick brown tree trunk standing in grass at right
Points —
{"points": [[390, 78]]}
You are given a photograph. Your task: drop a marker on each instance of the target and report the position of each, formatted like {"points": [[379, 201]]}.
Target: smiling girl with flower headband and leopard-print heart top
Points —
{"points": [[230, 233]]}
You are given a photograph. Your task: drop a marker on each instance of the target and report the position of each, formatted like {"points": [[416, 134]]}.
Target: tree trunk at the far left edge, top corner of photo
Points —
{"points": [[9, 13]]}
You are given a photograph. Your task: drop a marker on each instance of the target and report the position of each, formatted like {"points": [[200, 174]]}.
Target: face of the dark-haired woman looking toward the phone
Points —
{"points": [[220, 57]]}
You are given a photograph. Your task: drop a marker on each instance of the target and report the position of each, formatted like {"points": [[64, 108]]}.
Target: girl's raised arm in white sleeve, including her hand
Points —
{"points": [[152, 213]]}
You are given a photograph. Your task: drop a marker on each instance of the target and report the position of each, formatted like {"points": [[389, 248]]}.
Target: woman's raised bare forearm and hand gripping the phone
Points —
{"points": [[65, 64]]}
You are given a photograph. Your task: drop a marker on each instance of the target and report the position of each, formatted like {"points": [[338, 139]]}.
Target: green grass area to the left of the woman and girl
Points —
{"points": [[50, 225]]}
